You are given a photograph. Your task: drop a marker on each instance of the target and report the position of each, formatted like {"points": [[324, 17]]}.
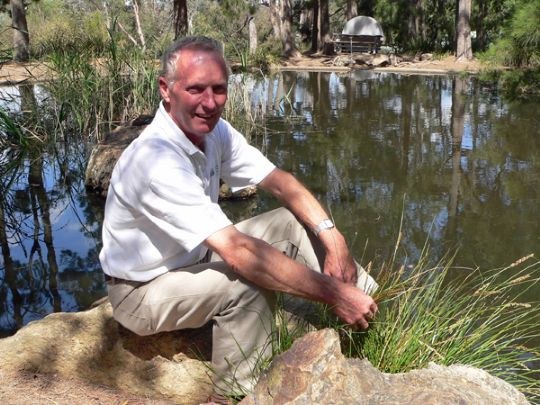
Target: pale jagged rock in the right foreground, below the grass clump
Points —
{"points": [[314, 371]]}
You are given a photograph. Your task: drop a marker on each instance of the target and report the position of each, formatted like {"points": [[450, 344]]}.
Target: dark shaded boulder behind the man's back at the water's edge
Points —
{"points": [[106, 153]]}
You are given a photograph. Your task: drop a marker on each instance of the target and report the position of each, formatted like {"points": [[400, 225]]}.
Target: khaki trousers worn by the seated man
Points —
{"points": [[241, 312]]}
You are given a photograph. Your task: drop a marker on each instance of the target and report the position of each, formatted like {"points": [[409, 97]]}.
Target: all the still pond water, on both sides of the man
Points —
{"points": [[444, 158]]}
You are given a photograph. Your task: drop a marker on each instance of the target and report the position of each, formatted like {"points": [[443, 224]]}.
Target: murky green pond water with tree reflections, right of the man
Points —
{"points": [[456, 159]]}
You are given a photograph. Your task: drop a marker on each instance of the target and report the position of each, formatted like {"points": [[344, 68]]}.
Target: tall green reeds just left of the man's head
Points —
{"points": [[93, 95]]}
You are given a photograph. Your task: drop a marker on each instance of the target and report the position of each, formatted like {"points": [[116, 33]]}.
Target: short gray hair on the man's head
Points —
{"points": [[198, 43]]}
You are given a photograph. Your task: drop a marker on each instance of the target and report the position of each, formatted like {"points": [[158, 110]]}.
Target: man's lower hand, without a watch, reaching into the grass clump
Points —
{"points": [[355, 307]]}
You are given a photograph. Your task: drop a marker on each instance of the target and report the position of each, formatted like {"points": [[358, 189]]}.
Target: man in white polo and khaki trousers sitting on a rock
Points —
{"points": [[173, 259]]}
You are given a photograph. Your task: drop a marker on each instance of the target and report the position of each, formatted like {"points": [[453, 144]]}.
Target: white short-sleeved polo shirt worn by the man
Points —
{"points": [[162, 198]]}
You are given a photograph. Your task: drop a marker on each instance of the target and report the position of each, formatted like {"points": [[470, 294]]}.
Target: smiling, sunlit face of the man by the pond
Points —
{"points": [[197, 94]]}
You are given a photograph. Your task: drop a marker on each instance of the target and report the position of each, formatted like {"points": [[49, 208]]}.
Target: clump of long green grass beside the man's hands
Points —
{"points": [[442, 314]]}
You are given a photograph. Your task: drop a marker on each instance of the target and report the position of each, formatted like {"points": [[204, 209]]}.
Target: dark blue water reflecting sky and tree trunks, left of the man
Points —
{"points": [[48, 236]]}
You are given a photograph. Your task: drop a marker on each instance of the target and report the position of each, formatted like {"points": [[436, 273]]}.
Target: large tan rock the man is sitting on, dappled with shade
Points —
{"points": [[92, 347]]}
